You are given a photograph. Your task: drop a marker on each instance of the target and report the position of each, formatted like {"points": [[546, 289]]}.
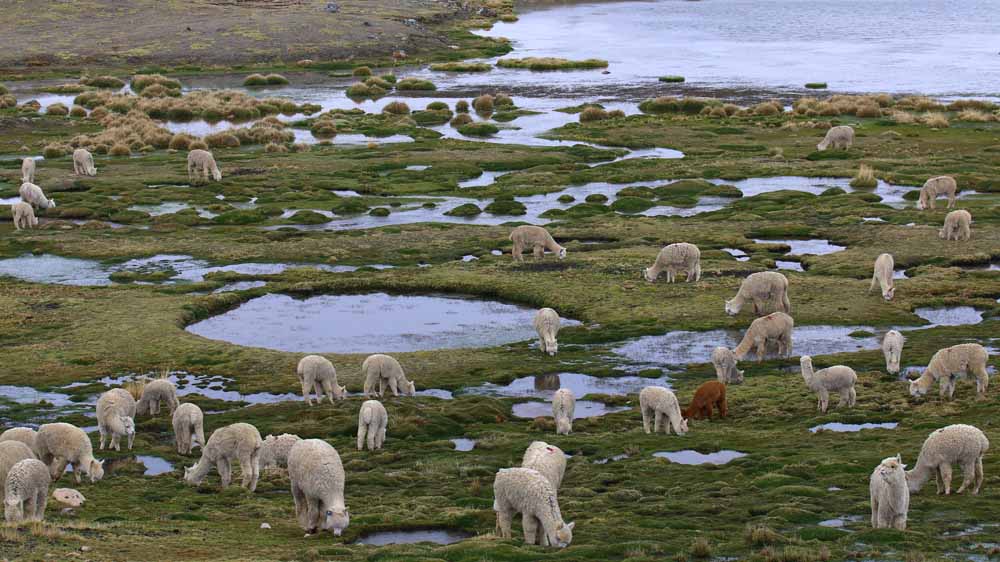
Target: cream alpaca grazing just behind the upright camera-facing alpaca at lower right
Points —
{"points": [[959, 443]]}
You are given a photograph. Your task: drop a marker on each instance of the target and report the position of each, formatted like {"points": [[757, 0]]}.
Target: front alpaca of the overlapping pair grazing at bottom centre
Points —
{"points": [[528, 492]]}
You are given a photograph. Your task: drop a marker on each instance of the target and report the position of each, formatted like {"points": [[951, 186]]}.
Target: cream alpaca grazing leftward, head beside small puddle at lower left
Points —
{"points": [[239, 441]]}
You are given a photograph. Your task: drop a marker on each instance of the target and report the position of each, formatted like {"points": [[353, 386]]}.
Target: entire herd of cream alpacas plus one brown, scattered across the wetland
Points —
{"points": [[31, 461]]}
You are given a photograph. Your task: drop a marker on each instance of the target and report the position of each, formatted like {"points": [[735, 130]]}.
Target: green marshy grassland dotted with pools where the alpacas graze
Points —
{"points": [[323, 199]]}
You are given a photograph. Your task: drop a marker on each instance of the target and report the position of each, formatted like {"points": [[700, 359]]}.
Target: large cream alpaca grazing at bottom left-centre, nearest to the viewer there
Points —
{"points": [[317, 478]]}
